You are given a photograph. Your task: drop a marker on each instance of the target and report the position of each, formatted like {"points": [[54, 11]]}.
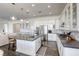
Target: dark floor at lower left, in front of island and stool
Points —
{"points": [[9, 52]]}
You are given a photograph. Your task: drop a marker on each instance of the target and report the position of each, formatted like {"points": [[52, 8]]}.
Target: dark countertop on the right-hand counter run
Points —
{"points": [[70, 44]]}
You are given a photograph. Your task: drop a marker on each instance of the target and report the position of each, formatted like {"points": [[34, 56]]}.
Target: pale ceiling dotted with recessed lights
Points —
{"points": [[8, 10]]}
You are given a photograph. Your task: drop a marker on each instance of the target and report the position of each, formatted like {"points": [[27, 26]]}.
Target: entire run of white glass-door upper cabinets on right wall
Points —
{"points": [[69, 20]]}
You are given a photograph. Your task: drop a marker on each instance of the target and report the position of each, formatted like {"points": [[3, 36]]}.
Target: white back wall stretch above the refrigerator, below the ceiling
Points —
{"points": [[50, 20]]}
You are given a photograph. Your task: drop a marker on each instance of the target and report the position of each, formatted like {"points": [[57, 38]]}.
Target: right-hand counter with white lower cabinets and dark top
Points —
{"points": [[67, 48]]}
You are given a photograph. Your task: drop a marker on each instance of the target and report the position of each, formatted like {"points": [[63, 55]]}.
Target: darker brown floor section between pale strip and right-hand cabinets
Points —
{"points": [[51, 49]]}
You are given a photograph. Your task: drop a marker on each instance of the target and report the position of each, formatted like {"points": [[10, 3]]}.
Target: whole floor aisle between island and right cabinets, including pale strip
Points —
{"points": [[49, 49]]}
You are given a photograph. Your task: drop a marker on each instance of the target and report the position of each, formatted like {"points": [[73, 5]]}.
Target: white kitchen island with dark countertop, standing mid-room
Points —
{"points": [[29, 46]]}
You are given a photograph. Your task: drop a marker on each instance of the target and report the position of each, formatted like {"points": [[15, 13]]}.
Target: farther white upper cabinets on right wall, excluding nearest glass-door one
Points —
{"points": [[65, 18]]}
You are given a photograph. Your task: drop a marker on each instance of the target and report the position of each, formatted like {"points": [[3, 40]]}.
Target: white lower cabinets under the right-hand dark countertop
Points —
{"points": [[66, 51]]}
